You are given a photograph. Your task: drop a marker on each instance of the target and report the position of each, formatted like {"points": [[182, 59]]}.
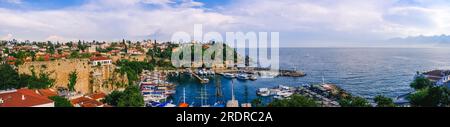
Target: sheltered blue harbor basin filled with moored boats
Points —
{"points": [[206, 87]]}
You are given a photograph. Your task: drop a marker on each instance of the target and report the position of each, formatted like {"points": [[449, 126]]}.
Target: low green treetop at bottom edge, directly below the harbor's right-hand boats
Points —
{"points": [[295, 101]]}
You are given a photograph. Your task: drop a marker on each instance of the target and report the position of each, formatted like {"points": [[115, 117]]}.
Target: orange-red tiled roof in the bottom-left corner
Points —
{"points": [[24, 98]]}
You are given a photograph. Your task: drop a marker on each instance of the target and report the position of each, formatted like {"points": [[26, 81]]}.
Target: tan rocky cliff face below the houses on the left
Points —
{"points": [[90, 79]]}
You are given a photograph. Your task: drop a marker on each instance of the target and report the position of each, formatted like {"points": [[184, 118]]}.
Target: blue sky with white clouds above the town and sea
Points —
{"points": [[299, 22]]}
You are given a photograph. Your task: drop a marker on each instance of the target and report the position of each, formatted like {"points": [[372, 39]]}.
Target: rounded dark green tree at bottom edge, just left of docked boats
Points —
{"points": [[131, 97]]}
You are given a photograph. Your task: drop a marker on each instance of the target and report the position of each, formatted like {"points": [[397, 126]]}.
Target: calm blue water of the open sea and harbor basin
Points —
{"points": [[364, 72]]}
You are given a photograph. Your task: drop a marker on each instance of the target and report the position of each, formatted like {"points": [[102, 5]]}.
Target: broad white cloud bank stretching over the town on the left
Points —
{"points": [[106, 22]]}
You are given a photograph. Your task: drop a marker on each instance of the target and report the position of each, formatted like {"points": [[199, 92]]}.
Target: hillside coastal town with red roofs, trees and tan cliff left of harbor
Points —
{"points": [[91, 74]]}
